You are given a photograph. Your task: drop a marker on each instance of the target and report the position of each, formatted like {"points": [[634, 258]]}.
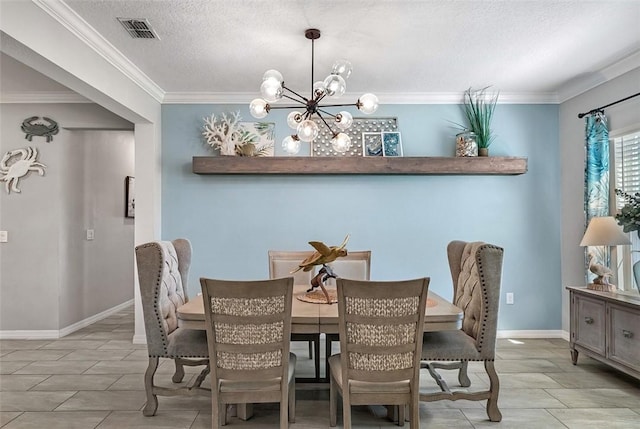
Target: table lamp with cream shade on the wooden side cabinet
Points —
{"points": [[603, 231]]}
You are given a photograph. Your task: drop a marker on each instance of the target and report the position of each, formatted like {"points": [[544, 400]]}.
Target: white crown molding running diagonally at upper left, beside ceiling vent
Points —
{"points": [[73, 22]]}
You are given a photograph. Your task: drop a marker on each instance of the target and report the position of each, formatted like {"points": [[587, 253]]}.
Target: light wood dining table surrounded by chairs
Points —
{"points": [[310, 317]]}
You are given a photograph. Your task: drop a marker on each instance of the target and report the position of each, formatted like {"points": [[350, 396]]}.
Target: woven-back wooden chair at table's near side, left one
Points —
{"points": [[248, 327]]}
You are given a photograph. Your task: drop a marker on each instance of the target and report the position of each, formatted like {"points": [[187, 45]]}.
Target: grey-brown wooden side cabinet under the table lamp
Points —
{"points": [[606, 327]]}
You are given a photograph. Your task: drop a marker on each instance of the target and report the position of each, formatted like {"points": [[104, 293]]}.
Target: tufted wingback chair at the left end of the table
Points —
{"points": [[163, 269]]}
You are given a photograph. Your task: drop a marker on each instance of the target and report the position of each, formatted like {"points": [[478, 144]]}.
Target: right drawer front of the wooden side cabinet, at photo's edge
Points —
{"points": [[624, 334]]}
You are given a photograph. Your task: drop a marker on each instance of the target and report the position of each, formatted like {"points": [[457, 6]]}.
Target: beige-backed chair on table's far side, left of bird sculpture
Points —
{"points": [[281, 264]]}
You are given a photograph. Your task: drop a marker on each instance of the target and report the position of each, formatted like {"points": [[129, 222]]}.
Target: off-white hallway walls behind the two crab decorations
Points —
{"points": [[50, 276]]}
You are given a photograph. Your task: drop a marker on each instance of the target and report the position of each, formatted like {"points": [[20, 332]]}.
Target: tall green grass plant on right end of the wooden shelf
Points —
{"points": [[478, 108]]}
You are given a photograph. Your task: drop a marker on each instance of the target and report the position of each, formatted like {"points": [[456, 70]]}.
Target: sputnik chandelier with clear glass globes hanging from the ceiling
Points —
{"points": [[273, 90]]}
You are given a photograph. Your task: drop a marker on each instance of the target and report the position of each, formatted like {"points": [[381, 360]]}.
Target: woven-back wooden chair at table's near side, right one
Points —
{"points": [[381, 325]]}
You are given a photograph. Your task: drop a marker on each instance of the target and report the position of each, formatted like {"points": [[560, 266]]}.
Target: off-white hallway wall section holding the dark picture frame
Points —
{"points": [[99, 275]]}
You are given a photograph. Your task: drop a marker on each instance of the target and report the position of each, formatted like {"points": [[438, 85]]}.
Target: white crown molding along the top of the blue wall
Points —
{"points": [[386, 98]]}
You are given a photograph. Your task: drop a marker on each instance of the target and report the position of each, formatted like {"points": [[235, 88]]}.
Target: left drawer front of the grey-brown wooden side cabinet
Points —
{"points": [[589, 323]]}
